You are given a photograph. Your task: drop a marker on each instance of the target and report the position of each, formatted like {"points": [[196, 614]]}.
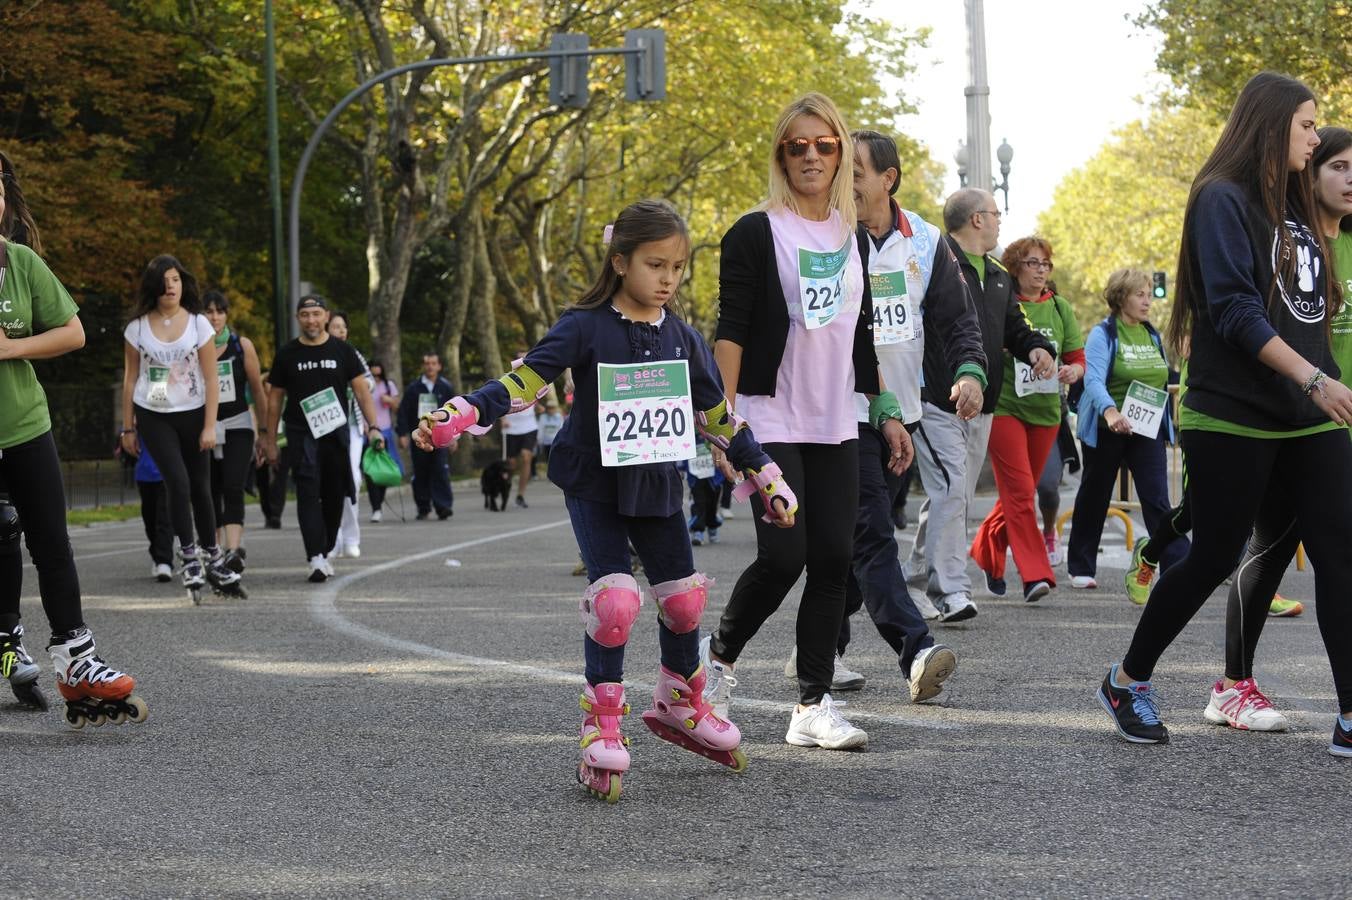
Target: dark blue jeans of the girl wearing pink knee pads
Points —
{"points": [[663, 545]]}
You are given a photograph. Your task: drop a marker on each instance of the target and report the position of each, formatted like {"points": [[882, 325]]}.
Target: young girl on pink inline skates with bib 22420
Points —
{"points": [[646, 383]]}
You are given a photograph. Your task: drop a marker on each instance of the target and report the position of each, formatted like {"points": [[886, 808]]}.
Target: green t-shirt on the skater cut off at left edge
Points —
{"points": [[32, 302]]}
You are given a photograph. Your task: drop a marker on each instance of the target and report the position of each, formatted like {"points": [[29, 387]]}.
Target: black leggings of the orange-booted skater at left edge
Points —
{"points": [[32, 471]]}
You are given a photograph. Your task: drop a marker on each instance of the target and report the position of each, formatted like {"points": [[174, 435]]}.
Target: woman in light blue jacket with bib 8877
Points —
{"points": [[1124, 417]]}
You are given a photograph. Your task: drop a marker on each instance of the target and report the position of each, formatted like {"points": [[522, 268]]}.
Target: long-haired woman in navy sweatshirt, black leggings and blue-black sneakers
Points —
{"points": [[1254, 299]]}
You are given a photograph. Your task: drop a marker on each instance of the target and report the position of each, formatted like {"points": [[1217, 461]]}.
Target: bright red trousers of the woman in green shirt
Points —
{"points": [[1019, 452]]}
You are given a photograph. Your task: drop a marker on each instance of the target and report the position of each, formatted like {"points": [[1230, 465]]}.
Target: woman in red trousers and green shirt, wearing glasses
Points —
{"points": [[1028, 417]]}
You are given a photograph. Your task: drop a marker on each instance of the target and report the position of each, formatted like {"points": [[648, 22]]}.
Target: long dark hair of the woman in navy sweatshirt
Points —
{"points": [[1254, 152]]}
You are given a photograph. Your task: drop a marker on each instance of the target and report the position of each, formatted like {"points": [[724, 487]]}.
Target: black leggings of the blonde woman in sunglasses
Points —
{"points": [[825, 479]]}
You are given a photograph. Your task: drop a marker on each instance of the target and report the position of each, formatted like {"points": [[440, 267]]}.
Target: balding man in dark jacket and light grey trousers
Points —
{"points": [[950, 451]]}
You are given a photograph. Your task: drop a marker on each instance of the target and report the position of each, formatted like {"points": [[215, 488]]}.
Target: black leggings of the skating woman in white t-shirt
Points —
{"points": [[174, 441]]}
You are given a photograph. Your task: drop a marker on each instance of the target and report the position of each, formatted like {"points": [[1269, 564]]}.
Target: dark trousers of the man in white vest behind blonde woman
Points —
{"points": [[877, 578]]}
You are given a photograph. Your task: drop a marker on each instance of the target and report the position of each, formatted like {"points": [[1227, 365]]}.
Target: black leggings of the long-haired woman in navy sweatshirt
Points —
{"points": [[1230, 479]]}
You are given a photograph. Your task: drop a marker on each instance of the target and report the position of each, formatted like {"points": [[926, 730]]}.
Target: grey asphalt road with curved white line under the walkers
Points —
{"points": [[410, 730]]}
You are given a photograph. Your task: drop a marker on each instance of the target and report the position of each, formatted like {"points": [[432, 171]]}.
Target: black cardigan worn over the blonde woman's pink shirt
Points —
{"points": [[752, 311]]}
